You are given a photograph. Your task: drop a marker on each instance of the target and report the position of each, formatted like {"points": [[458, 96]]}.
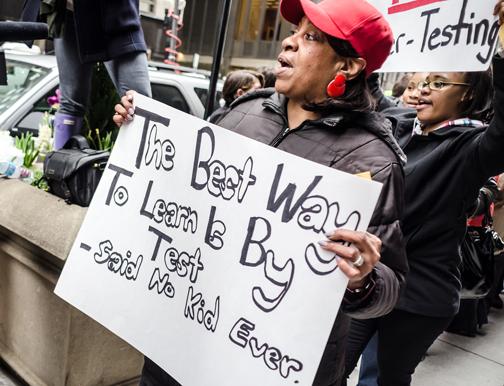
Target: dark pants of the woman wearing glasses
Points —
{"points": [[403, 339]]}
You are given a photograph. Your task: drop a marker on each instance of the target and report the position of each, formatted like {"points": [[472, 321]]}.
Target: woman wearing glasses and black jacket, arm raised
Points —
{"points": [[451, 152]]}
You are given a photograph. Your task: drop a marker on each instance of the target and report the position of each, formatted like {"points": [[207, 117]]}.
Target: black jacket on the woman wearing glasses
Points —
{"points": [[444, 173]]}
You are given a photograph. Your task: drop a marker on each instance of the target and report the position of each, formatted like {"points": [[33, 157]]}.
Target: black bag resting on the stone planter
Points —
{"points": [[74, 171]]}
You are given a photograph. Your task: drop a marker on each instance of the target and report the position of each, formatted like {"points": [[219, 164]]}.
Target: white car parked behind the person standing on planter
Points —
{"points": [[33, 78]]}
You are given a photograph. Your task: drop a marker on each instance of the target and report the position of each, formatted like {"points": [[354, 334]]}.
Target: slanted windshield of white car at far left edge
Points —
{"points": [[21, 77]]}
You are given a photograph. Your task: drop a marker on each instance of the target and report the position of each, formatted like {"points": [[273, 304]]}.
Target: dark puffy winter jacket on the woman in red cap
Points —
{"points": [[353, 143]]}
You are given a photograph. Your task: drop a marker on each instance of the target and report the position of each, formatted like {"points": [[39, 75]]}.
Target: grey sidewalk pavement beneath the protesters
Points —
{"points": [[453, 360]]}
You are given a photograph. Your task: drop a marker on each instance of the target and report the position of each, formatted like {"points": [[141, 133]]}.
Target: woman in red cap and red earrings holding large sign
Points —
{"points": [[322, 110]]}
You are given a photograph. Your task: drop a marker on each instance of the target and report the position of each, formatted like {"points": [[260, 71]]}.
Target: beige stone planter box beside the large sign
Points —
{"points": [[42, 338]]}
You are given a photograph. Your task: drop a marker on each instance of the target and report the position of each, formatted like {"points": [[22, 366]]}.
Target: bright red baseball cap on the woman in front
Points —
{"points": [[355, 21]]}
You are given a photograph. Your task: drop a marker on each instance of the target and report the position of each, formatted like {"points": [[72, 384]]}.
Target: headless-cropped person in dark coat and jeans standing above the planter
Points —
{"points": [[84, 33]]}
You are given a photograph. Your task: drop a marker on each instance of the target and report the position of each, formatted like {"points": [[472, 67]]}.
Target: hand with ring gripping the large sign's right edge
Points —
{"points": [[357, 260]]}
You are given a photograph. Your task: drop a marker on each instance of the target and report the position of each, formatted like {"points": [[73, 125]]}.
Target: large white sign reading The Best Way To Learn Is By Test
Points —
{"points": [[200, 250]]}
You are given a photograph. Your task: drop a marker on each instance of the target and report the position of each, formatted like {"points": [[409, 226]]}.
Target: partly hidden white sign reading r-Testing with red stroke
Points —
{"points": [[440, 35]]}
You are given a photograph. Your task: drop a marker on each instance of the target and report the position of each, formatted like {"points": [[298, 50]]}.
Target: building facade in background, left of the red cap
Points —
{"points": [[254, 35]]}
